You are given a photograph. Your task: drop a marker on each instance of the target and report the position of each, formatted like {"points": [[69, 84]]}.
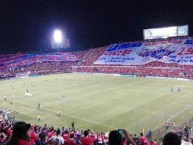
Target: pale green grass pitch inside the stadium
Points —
{"points": [[99, 102]]}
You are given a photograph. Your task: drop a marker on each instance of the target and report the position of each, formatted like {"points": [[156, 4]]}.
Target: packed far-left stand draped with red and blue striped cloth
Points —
{"points": [[39, 64]]}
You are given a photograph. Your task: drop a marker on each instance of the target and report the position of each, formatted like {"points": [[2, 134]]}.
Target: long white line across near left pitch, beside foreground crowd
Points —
{"points": [[71, 116]]}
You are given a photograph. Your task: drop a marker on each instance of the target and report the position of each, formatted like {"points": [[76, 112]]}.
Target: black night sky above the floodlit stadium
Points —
{"points": [[27, 25]]}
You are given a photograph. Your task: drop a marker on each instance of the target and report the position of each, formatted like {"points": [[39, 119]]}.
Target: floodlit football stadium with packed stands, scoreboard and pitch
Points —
{"points": [[140, 86]]}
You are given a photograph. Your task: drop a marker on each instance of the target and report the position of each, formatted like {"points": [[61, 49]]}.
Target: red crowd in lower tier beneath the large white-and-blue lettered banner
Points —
{"points": [[140, 71]]}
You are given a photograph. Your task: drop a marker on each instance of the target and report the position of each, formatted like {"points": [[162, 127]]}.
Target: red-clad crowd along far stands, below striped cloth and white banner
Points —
{"points": [[86, 61]]}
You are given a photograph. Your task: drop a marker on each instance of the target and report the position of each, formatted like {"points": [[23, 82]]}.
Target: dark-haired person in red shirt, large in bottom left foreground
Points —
{"points": [[20, 135]]}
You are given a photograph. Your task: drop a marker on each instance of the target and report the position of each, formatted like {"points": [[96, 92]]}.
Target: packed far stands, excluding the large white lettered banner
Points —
{"points": [[84, 61]]}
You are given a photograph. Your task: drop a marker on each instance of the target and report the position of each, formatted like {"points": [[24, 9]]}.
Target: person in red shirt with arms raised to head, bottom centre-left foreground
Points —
{"points": [[87, 140]]}
